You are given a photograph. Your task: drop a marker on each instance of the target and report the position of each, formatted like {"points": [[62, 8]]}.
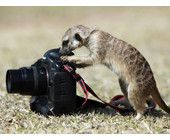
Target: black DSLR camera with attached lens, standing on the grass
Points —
{"points": [[53, 89]]}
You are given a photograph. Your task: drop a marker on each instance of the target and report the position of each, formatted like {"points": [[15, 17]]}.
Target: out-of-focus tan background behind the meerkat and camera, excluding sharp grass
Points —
{"points": [[26, 33]]}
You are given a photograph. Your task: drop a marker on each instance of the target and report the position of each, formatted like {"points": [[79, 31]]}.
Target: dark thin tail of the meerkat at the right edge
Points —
{"points": [[157, 97]]}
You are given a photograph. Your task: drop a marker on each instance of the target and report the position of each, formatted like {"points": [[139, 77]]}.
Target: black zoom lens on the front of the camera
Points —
{"points": [[27, 81]]}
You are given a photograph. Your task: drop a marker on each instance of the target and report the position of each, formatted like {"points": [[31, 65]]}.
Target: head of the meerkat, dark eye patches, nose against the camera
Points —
{"points": [[74, 38]]}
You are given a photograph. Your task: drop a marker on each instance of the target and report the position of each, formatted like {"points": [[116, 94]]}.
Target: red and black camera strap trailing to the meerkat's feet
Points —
{"points": [[87, 89]]}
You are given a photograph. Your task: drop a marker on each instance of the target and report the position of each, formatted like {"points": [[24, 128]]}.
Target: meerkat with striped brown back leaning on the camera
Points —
{"points": [[134, 72]]}
